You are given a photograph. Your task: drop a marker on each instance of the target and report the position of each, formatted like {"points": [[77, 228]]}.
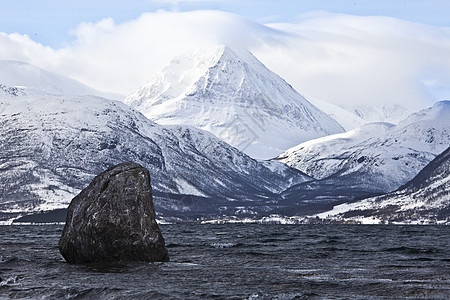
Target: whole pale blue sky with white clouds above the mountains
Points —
{"points": [[343, 52]]}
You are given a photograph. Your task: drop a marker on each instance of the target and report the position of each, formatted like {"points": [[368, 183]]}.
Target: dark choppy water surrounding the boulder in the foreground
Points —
{"points": [[241, 262]]}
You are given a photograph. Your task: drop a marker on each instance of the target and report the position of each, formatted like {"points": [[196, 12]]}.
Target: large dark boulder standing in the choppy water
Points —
{"points": [[113, 219]]}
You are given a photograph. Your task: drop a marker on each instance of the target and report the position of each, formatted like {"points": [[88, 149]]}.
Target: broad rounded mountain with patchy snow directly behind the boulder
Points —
{"points": [[52, 146]]}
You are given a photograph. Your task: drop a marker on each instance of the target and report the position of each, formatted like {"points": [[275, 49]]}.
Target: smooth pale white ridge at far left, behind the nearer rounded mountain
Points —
{"points": [[36, 80]]}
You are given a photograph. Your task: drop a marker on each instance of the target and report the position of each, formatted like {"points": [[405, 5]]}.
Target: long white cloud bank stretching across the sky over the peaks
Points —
{"points": [[338, 58]]}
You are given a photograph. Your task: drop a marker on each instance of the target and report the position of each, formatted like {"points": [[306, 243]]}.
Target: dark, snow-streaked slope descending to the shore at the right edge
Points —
{"points": [[423, 199]]}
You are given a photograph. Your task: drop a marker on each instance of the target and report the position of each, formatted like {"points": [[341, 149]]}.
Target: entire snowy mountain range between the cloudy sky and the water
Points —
{"points": [[211, 109]]}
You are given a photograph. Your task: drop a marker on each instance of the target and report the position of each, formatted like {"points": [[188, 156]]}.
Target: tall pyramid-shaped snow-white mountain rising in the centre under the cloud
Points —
{"points": [[233, 95]]}
